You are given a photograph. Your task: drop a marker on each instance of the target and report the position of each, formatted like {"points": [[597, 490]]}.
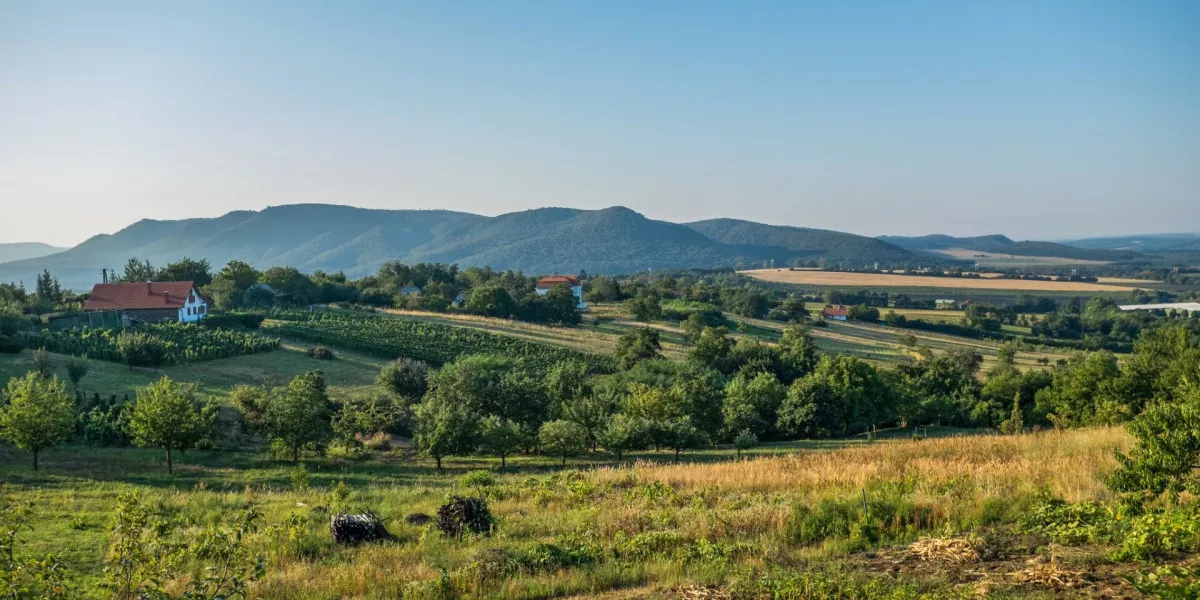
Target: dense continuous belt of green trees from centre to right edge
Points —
{"points": [[746, 391]]}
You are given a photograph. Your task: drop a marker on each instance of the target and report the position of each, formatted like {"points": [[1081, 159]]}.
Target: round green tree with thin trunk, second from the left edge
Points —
{"points": [[167, 415]]}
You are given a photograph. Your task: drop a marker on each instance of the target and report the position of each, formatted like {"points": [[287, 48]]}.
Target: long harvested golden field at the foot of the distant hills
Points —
{"points": [[868, 280]]}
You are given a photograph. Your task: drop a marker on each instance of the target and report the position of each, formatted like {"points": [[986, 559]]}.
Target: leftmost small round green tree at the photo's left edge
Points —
{"points": [[39, 413]]}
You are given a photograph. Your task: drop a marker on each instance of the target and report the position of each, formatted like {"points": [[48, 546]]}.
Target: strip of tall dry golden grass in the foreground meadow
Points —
{"points": [[1069, 465]]}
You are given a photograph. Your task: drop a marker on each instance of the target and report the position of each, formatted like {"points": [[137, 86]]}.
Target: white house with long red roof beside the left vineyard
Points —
{"points": [[149, 303]]}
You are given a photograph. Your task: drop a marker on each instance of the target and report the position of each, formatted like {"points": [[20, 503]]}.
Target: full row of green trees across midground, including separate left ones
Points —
{"points": [[728, 391]]}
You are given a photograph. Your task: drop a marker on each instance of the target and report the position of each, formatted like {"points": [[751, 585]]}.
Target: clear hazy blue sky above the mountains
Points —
{"points": [[1039, 119]]}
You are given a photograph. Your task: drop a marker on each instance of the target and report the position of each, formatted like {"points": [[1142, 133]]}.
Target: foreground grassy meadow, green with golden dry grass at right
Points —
{"points": [[645, 530]]}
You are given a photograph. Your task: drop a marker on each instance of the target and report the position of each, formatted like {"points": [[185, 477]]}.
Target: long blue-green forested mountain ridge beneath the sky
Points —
{"points": [[333, 238]]}
